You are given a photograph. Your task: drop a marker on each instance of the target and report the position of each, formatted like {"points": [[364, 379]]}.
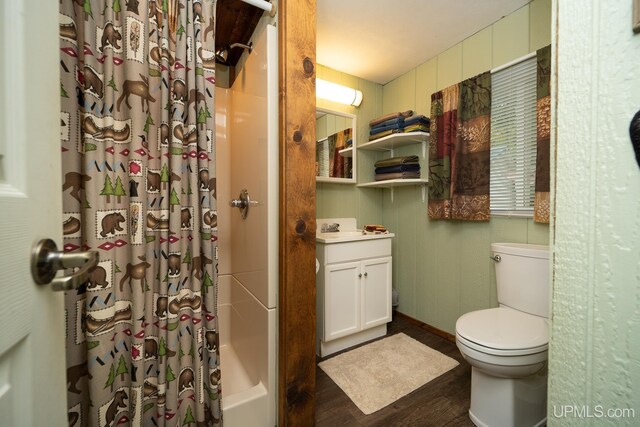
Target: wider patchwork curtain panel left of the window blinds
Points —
{"points": [[459, 166]]}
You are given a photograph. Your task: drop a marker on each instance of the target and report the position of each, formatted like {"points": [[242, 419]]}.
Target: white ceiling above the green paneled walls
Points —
{"points": [[379, 40]]}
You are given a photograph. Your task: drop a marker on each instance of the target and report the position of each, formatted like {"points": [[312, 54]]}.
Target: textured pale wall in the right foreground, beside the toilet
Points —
{"points": [[595, 344]]}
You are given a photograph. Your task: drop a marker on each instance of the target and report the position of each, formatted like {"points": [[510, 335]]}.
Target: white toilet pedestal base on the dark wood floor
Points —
{"points": [[508, 402]]}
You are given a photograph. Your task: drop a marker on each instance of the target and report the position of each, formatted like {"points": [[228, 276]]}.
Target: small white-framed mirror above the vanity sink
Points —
{"points": [[335, 142]]}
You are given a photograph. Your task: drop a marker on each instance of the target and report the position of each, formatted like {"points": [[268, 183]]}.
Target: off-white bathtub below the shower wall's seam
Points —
{"points": [[247, 353]]}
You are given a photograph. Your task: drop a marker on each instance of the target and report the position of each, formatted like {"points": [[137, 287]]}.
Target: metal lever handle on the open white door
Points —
{"points": [[46, 260]]}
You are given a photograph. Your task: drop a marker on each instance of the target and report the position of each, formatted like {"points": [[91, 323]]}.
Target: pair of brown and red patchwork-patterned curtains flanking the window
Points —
{"points": [[459, 161]]}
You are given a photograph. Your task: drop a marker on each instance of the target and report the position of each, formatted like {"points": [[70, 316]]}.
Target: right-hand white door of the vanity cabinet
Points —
{"points": [[376, 292]]}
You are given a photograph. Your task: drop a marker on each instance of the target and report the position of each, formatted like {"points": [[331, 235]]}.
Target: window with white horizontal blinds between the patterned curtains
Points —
{"points": [[513, 139]]}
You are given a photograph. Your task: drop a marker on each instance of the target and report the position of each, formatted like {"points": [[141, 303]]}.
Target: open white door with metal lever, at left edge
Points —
{"points": [[32, 352]]}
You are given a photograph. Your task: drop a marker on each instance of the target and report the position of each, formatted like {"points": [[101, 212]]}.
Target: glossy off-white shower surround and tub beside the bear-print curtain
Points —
{"points": [[247, 157]]}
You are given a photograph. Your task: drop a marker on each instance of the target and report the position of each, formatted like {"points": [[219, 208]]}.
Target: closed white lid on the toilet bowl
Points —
{"points": [[504, 329]]}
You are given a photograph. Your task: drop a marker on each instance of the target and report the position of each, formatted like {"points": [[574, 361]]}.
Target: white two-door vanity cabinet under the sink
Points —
{"points": [[353, 293]]}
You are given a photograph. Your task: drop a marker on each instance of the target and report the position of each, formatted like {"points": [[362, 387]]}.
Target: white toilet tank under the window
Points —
{"points": [[522, 276]]}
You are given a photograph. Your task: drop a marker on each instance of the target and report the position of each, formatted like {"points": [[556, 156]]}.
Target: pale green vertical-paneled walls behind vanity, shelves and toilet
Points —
{"points": [[441, 269]]}
